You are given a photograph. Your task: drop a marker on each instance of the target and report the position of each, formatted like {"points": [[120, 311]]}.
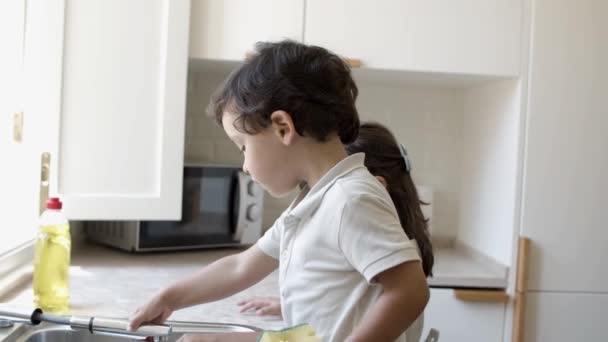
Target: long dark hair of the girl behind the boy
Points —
{"points": [[383, 158]]}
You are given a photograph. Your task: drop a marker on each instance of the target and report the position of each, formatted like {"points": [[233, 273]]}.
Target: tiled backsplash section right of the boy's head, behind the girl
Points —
{"points": [[428, 121]]}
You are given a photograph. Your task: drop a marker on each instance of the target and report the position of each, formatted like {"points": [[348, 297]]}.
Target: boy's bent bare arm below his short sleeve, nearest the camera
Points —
{"points": [[404, 297]]}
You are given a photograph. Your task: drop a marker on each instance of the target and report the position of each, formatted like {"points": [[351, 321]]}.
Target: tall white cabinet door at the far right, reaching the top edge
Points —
{"points": [[565, 186]]}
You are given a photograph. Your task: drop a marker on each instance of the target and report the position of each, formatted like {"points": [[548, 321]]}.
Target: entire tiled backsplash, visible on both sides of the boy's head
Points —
{"points": [[427, 120]]}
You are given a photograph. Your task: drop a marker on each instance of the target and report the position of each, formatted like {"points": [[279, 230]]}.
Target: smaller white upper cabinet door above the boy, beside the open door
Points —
{"points": [[228, 29]]}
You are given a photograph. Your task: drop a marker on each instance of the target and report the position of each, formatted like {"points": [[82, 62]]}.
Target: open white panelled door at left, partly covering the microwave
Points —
{"points": [[113, 87]]}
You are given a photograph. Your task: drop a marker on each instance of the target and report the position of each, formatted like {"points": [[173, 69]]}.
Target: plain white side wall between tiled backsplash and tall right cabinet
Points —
{"points": [[491, 124]]}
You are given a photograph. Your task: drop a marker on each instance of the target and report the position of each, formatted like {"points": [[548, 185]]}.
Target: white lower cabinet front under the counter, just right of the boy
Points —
{"points": [[458, 320]]}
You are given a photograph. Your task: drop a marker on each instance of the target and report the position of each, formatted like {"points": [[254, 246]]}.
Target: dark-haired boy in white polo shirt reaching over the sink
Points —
{"points": [[345, 264]]}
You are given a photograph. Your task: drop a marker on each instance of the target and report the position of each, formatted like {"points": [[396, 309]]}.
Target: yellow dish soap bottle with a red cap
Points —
{"points": [[52, 259]]}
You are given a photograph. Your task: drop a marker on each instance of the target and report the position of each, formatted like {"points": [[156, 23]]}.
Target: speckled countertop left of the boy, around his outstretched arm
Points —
{"points": [[110, 283]]}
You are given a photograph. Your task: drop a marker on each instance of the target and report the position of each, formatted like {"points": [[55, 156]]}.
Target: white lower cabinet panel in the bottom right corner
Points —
{"points": [[566, 317]]}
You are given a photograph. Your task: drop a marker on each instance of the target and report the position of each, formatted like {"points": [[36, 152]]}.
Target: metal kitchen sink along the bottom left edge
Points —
{"points": [[58, 333]]}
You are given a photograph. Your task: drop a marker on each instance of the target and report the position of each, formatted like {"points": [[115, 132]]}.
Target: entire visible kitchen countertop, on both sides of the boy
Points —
{"points": [[112, 283]]}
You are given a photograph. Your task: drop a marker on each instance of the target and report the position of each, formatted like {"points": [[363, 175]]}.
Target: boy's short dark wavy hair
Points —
{"points": [[310, 83]]}
